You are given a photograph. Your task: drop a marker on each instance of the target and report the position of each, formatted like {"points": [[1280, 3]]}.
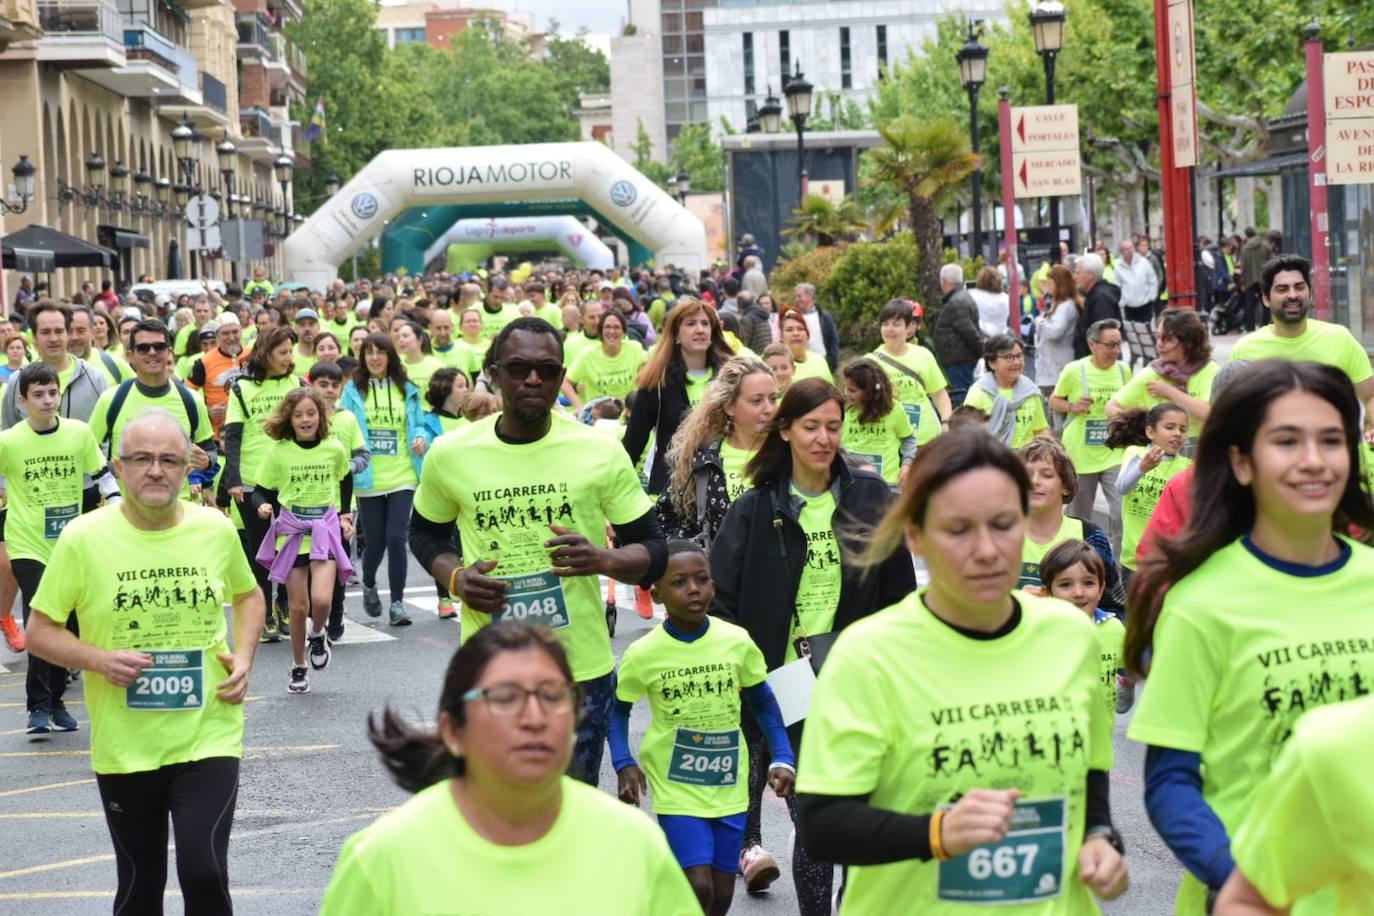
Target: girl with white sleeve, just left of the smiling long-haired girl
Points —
{"points": [[1152, 442]]}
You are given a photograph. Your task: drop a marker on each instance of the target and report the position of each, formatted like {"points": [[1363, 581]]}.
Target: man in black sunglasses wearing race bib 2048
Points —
{"points": [[532, 495]]}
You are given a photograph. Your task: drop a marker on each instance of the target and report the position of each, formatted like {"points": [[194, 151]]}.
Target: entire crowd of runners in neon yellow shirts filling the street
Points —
{"points": [[1177, 540]]}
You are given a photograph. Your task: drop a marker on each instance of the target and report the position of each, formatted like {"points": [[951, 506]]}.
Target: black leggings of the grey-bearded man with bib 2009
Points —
{"points": [[200, 796]]}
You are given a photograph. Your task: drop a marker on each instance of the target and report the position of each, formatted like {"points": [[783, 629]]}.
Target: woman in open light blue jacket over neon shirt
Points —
{"points": [[392, 420]]}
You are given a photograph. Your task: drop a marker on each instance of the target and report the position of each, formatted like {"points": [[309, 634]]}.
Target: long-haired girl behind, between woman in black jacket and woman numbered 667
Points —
{"points": [[877, 429]]}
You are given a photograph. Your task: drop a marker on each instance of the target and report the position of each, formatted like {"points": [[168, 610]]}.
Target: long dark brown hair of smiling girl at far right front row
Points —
{"points": [[1224, 509]]}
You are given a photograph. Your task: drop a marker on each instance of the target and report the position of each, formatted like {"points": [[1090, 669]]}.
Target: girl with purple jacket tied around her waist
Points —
{"points": [[306, 480]]}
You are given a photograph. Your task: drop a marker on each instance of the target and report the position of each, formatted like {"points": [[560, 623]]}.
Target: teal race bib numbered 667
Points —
{"points": [[1027, 866]]}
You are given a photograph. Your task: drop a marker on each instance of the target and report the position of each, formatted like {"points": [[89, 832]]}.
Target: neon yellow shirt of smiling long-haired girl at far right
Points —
{"points": [[1241, 652]]}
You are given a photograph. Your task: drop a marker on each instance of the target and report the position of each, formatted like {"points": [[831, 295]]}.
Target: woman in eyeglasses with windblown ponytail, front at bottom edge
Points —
{"points": [[495, 823]]}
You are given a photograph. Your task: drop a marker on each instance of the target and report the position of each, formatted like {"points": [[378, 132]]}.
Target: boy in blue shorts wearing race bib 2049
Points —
{"points": [[693, 669]]}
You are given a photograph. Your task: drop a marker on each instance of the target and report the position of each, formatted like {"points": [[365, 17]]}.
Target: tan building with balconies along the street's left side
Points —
{"points": [[108, 82]]}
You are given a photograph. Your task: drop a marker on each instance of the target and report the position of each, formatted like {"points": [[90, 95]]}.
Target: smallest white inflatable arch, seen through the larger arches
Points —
{"points": [[475, 241]]}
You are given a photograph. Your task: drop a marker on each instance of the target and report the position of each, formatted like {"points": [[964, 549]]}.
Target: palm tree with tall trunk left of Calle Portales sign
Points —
{"points": [[925, 163]]}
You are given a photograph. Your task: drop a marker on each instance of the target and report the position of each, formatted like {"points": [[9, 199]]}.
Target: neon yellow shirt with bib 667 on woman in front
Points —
{"points": [[913, 713]]}
